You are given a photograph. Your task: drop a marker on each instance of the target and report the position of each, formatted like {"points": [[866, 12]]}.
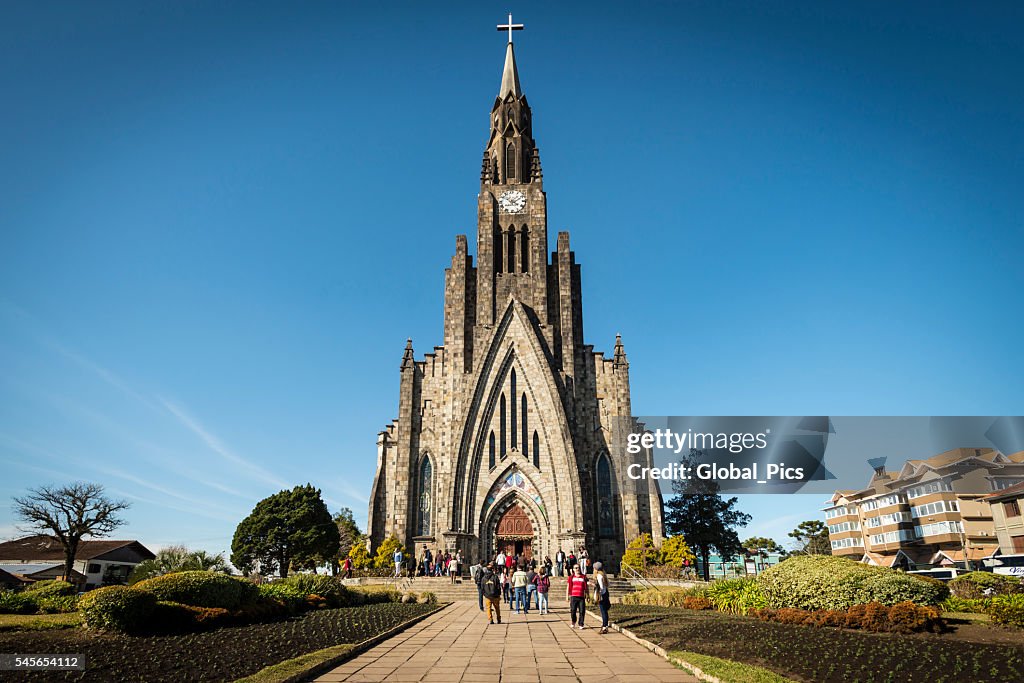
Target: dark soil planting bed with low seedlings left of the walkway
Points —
{"points": [[226, 655]]}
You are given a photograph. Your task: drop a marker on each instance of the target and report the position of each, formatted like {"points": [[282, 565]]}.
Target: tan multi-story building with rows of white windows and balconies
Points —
{"points": [[930, 514]]}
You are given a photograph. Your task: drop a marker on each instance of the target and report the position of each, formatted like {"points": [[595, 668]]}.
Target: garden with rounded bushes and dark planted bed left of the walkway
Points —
{"points": [[199, 626]]}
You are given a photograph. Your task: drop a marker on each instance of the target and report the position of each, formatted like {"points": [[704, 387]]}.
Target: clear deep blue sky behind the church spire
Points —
{"points": [[221, 222]]}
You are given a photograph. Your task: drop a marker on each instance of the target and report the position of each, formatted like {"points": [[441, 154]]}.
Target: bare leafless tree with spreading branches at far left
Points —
{"points": [[69, 514]]}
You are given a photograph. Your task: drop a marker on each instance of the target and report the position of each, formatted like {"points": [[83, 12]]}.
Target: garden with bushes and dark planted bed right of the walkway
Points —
{"points": [[831, 620]]}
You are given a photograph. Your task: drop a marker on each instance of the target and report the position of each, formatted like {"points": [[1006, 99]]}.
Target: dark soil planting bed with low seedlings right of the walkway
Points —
{"points": [[971, 653]]}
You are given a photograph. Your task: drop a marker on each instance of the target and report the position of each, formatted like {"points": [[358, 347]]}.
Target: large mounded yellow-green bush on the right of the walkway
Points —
{"points": [[823, 582]]}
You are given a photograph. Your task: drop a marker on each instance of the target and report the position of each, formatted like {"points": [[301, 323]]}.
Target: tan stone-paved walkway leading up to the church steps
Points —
{"points": [[456, 645]]}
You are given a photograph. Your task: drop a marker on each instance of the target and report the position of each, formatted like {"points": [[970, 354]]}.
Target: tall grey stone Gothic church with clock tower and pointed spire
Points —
{"points": [[511, 436]]}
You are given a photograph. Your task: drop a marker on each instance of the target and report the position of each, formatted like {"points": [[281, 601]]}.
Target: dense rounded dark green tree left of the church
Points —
{"points": [[289, 529]]}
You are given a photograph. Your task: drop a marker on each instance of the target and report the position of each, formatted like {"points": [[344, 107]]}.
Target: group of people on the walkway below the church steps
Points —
{"points": [[522, 583]]}
